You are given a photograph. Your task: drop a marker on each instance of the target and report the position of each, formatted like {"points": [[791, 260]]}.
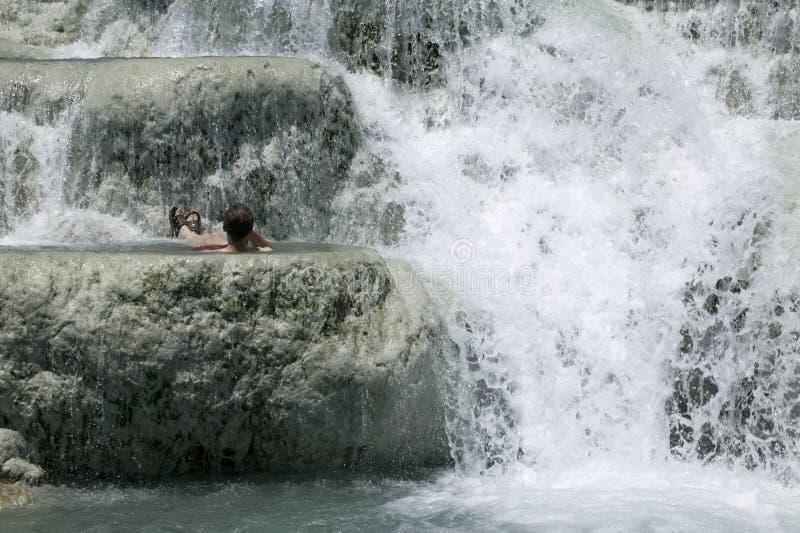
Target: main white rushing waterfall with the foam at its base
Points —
{"points": [[573, 194]]}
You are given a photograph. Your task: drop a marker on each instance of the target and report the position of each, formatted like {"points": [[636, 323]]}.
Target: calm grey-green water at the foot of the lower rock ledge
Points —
{"points": [[339, 503]]}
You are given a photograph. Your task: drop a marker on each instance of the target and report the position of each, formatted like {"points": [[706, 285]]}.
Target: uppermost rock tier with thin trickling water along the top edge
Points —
{"points": [[404, 40]]}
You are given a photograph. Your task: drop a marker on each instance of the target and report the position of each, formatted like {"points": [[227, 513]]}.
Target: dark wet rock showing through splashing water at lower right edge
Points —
{"points": [[736, 396]]}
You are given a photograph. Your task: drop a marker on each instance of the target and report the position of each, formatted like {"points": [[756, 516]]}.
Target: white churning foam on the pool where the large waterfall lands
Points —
{"points": [[607, 495]]}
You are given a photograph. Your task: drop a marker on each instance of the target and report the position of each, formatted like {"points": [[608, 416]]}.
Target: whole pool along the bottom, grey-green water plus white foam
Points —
{"points": [[598, 497]]}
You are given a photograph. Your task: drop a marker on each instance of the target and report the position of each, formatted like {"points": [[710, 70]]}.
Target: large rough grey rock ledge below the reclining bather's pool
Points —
{"points": [[146, 365]]}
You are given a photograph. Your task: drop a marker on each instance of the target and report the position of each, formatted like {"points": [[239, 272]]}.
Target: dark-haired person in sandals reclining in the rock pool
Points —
{"points": [[237, 222]]}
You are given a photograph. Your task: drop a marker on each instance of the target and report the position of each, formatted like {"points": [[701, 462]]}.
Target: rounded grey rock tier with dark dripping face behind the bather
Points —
{"points": [[276, 133]]}
